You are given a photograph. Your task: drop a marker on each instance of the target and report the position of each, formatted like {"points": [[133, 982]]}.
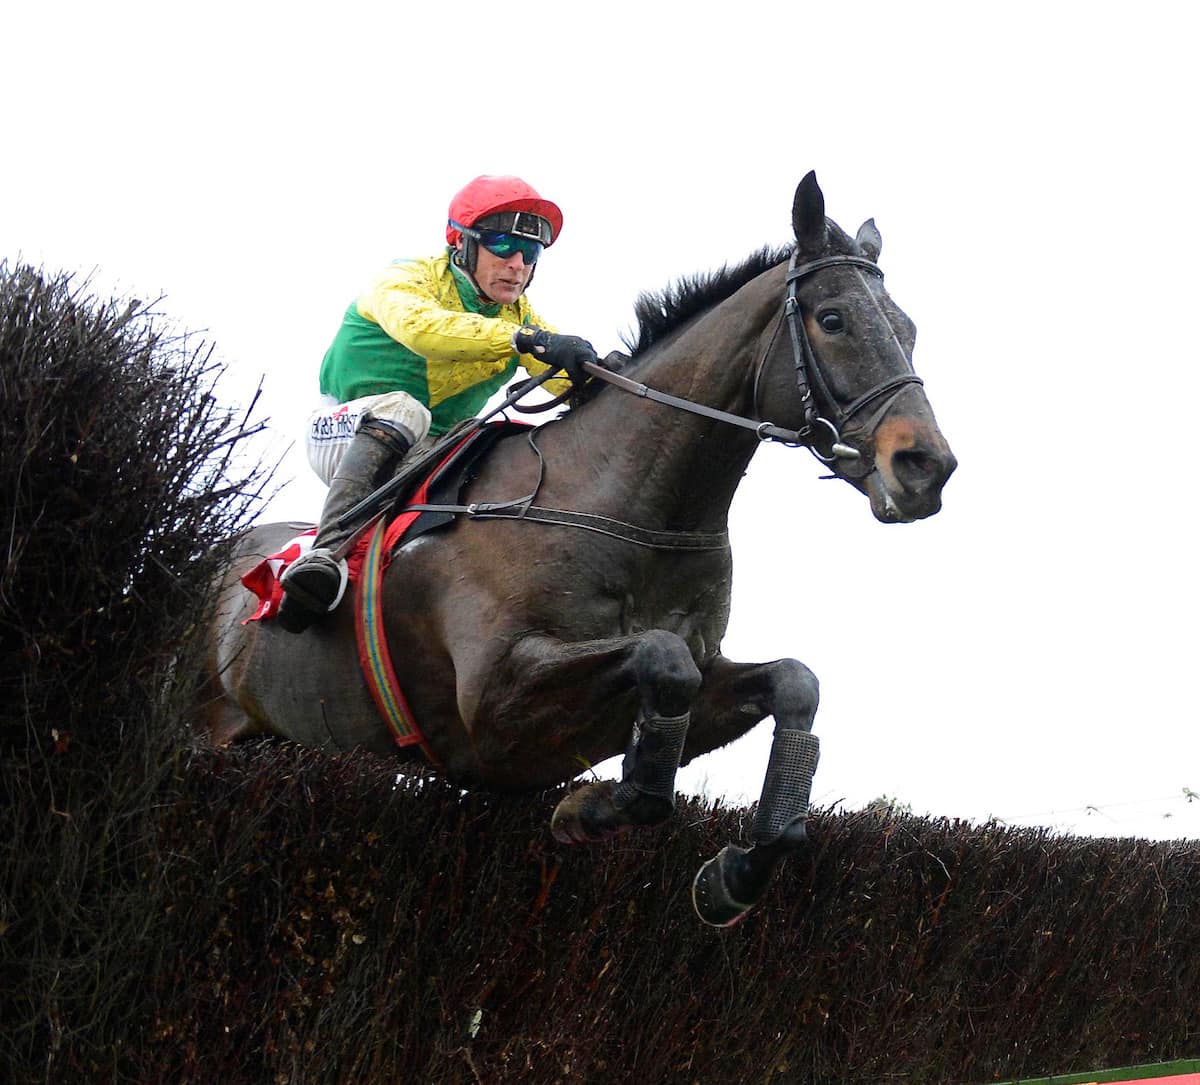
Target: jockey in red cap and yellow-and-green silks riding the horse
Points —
{"points": [[423, 349]]}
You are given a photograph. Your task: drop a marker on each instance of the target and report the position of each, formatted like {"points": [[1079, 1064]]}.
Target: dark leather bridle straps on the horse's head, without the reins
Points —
{"points": [[808, 374]]}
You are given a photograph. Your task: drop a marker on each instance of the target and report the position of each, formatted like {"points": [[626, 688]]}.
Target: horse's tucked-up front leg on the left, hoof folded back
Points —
{"points": [[658, 670]]}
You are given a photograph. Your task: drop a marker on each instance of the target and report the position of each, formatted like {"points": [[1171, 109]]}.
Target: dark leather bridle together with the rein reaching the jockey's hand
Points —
{"points": [[818, 428]]}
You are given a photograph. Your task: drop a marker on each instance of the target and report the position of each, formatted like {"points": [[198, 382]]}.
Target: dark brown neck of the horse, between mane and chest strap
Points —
{"points": [[665, 467]]}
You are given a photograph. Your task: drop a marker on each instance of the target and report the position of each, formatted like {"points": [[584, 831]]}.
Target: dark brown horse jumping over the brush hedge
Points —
{"points": [[530, 650]]}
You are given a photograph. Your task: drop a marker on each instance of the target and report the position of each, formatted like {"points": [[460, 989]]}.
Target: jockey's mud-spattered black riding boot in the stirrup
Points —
{"points": [[314, 585]]}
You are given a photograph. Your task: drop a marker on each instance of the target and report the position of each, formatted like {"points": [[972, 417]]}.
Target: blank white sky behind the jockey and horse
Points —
{"points": [[1028, 655]]}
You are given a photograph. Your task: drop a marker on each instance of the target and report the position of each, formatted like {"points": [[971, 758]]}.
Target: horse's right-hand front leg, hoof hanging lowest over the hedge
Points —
{"points": [[735, 698]]}
